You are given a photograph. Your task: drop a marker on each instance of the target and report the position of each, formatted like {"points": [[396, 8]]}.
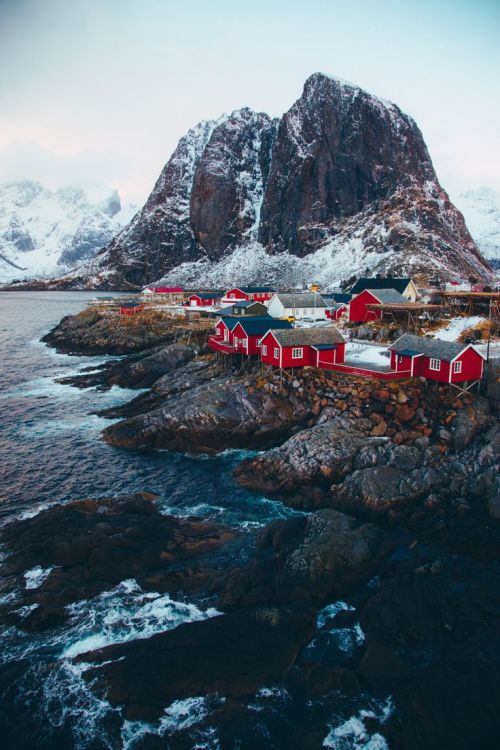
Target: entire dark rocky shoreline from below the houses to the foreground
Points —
{"points": [[398, 485]]}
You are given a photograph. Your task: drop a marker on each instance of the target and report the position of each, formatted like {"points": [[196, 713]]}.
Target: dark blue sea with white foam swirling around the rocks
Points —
{"points": [[51, 452]]}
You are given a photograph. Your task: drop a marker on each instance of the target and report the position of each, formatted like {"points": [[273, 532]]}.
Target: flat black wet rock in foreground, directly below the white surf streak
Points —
{"points": [[232, 655]]}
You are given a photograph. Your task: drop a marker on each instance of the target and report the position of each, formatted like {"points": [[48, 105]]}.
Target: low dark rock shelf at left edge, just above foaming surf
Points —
{"points": [[90, 546]]}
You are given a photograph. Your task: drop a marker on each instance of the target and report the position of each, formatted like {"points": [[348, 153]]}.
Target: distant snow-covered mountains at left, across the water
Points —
{"points": [[45, 233]]}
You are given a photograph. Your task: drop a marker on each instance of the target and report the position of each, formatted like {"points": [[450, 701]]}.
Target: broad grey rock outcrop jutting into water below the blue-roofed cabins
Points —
{"points": [[210, 418]]}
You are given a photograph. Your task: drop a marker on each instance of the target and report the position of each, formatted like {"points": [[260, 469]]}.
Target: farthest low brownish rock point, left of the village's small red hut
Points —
{"points": [[91, 333]]}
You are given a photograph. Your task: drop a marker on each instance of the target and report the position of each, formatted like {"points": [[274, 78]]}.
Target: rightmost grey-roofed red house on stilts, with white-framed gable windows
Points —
{"points": [[434, 359]]}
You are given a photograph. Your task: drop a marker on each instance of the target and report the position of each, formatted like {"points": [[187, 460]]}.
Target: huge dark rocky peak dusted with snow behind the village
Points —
{"points": [[342, 172]]}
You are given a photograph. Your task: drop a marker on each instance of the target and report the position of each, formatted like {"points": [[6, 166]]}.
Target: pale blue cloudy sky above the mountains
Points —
{"points": [[103, 89]]}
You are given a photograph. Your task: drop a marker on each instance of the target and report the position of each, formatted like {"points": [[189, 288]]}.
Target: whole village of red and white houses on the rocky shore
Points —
{"points": [[447, 333]]}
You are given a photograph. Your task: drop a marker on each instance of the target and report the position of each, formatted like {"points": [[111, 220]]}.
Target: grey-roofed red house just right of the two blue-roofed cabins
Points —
{"points": [[299, 347]]}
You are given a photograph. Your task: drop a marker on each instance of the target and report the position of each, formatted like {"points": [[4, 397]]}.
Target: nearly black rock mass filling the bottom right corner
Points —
{"points": [[432, 627]]}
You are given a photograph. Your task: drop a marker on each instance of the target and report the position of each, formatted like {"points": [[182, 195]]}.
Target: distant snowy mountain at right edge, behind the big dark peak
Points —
{"points": [[481, 209]]}
